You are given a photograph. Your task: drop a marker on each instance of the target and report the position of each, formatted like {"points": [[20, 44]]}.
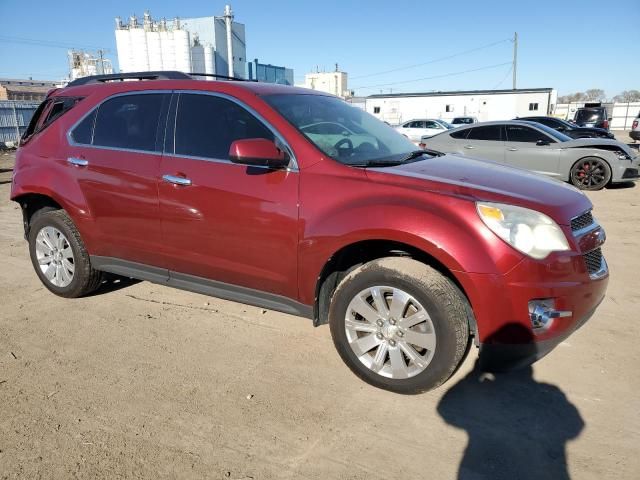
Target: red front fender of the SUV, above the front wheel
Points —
{"points": [[446, 228]]}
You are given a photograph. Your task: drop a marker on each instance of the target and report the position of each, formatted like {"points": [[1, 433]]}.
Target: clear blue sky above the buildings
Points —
{"points": [[563, 45]]}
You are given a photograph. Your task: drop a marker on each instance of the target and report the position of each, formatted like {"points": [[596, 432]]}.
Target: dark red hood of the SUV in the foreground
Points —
{"points": [[483, 180]]}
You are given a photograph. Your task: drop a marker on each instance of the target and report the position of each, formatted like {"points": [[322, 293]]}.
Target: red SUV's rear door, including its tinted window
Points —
{"points": [[115, 153]]}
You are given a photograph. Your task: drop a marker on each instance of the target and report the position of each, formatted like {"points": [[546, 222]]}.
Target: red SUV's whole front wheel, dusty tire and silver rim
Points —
{"points": [[391, 362]]}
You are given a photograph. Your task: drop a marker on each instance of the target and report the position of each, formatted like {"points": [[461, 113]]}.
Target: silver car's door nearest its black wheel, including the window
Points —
{"points": [[522, 150]]}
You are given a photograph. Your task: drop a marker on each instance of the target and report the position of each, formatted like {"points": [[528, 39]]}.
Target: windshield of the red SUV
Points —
{"points": [[344, 133]]}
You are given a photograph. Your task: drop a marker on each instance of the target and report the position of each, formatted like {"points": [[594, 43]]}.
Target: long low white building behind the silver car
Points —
{"points": [[485, 105]]}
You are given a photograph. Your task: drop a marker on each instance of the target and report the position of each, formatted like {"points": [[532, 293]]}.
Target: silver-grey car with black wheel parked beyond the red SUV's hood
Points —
{"points": [[588, 163]]}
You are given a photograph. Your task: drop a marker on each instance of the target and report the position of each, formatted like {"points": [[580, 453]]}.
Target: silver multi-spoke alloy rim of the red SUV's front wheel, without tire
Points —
{"points": [[390, 332]]}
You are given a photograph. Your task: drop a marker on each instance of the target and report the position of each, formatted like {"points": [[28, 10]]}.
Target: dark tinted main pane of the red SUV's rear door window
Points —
{"points": [[129, 121]]}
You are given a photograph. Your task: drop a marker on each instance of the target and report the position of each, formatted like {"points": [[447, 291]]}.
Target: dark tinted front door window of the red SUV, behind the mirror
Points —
{"points": [[207, 125]]}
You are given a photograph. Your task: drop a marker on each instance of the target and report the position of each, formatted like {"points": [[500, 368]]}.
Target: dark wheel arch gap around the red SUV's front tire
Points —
{"points": [[357, 253]]}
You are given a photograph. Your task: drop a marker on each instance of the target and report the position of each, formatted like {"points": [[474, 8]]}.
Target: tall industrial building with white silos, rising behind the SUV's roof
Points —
{"points": [[202, 45]]}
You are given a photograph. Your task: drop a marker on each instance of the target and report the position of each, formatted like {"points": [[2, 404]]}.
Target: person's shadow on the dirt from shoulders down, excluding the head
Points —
{"points": [[517, 427]]}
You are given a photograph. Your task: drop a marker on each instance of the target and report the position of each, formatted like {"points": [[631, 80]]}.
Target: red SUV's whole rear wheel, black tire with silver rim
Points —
{"points": [[55, 229]]}
